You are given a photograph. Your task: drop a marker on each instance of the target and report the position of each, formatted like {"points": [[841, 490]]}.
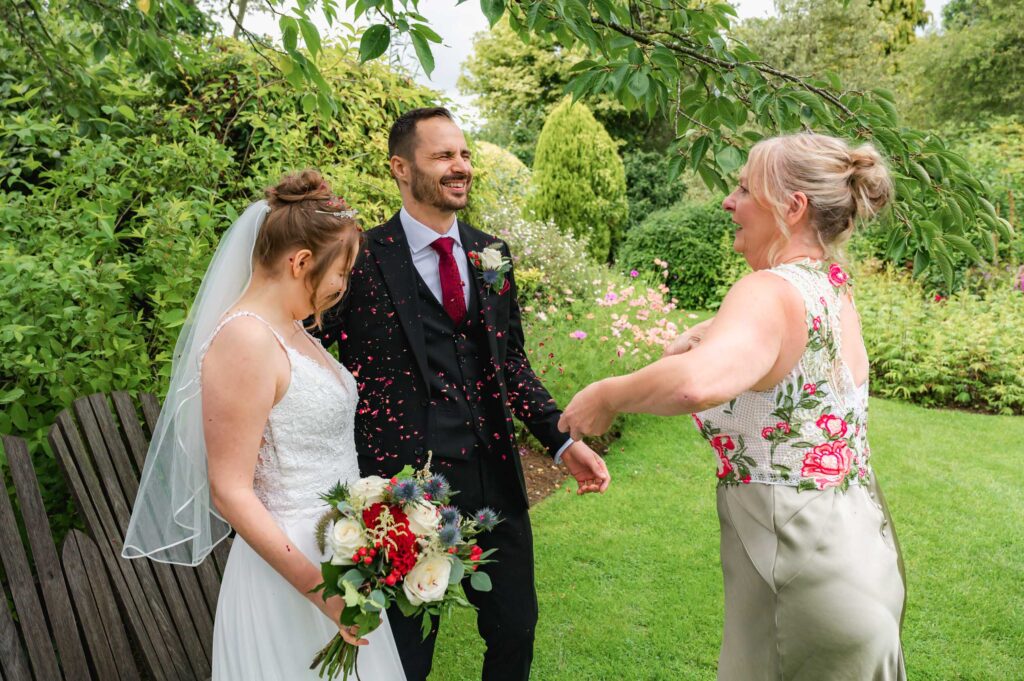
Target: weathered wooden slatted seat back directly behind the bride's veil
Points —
{"points": [[101, 444]]}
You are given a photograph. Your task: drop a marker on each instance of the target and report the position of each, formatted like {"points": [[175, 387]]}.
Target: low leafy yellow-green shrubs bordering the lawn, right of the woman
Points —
{"points": [[961, 352]]}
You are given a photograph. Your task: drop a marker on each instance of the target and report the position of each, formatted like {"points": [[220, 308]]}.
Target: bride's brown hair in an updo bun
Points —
{"points": [[306, 214]]}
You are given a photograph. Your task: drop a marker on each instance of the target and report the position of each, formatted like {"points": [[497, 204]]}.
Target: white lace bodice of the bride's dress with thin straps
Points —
{"points": [[309, 441]]}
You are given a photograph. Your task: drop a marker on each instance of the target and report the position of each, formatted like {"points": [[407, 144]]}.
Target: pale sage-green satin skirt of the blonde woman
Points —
{"points": [[815, 588]]}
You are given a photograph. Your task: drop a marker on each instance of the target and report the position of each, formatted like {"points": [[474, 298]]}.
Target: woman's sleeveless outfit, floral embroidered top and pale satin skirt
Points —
{"points": [[814, 586]]}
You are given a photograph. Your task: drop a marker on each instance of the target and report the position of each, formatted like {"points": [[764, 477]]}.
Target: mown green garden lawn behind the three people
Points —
{"points": [[630, 586]]}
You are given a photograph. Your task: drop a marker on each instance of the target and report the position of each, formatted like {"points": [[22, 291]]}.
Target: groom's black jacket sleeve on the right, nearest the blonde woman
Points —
{"points": [[529, 400]]}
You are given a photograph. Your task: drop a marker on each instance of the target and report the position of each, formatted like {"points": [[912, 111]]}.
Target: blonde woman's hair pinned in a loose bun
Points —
{"points": [[843, 185]]}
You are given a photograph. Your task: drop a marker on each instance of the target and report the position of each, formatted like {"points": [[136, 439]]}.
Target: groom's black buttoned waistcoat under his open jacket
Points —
{"points": [[464, 395]]}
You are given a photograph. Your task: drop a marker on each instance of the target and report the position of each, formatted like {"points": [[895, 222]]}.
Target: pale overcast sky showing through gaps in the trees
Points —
{"points": [[457, 25]]}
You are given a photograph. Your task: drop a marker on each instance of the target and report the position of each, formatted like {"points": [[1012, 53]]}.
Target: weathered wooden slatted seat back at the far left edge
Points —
{"points": [[68, 625]]}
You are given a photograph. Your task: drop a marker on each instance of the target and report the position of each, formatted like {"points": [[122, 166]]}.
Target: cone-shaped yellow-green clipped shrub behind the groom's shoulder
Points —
{"points": [[579, 180]]}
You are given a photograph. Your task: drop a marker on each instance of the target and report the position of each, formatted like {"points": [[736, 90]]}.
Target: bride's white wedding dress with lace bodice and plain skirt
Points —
{"points": [[265, 630]]}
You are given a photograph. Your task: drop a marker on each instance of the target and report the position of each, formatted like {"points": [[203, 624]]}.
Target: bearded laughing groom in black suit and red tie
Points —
{"points": [[440, 360]]}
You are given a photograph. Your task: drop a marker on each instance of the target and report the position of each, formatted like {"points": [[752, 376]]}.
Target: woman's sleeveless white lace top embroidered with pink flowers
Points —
{"points": [[810, 431]]}
